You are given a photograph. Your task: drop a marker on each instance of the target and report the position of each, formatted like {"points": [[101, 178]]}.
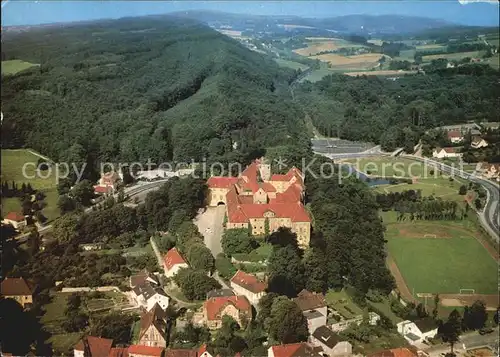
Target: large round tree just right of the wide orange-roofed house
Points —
{"points": [[287, 324]]}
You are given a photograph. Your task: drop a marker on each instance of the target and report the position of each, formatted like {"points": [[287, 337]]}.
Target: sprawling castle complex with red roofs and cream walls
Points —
{"points": [[262, 201]]}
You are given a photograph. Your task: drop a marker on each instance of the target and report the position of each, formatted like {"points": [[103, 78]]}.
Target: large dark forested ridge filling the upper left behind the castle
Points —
{"points": [[139, 88]]}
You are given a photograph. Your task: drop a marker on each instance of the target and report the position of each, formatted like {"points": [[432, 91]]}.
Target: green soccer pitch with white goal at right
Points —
{"points": [[452, 261]]}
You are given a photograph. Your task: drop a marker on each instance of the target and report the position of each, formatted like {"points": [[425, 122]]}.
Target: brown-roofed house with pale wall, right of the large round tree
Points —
{"points": [[313, 307]]}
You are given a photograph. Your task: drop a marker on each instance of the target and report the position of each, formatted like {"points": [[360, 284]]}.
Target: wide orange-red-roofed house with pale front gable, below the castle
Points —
{"points": [[238, 307]]}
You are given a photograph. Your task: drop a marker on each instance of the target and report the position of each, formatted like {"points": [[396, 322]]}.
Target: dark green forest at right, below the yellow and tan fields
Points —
{"points": [[396, 113]]}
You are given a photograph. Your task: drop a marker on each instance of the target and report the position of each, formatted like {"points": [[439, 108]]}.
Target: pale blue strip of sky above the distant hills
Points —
{"points": [[467, 12]]}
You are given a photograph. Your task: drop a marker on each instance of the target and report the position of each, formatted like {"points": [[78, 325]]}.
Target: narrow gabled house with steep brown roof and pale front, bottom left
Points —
{"points": [[153, 327]]}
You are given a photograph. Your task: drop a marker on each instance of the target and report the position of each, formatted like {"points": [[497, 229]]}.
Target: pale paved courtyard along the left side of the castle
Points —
{"points": [[210, 225]]}
